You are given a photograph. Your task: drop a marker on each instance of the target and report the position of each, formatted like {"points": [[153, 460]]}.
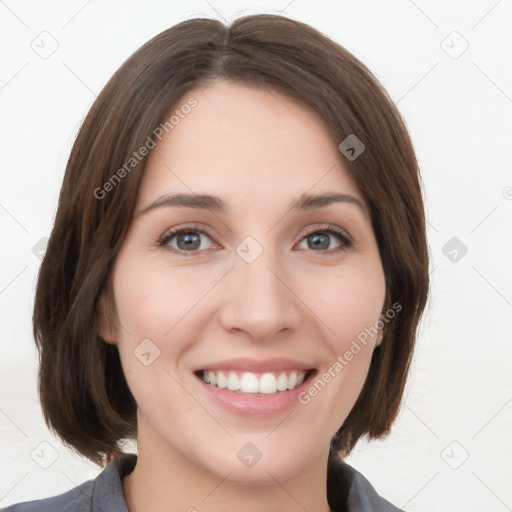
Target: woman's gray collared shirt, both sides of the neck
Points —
{"points": [[347, 490]]}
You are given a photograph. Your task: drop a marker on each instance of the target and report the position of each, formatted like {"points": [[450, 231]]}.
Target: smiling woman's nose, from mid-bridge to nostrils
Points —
{"points": [[259, 299]]}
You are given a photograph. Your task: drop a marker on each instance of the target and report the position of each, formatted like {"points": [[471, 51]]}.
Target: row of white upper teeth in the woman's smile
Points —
{"points": [[250, 382]]}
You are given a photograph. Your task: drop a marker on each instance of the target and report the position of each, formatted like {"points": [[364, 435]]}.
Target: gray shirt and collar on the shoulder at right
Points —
{"points": [[349, 486]]}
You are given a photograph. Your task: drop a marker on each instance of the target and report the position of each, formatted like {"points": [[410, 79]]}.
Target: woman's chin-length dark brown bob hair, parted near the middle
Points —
{"points": [[84, 396]]}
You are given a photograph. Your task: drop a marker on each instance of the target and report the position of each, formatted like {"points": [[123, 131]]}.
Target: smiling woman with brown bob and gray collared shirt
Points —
{"points": [[235, 275]]}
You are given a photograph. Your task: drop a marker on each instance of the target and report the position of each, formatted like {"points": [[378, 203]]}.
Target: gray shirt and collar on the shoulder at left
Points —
{"points": [[105, 492]]}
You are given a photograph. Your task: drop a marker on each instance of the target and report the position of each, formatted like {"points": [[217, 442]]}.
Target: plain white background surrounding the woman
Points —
{"points": [[458, 111]]}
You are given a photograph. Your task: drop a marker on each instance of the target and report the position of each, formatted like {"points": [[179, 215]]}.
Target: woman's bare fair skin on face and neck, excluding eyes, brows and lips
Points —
{"points": [[258, 150]]}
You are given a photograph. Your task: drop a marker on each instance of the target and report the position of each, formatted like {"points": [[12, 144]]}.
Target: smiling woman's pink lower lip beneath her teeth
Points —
{"points": [[255, 405]]}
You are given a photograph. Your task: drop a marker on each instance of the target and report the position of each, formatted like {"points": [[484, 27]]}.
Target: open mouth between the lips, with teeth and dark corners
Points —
{"points": [[256, 383]]}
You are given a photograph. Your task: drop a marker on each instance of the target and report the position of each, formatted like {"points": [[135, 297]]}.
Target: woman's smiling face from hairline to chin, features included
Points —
{"points": [[261, 298]]}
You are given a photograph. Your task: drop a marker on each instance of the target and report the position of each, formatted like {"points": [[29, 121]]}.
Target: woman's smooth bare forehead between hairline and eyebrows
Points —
{"points": [[245, 142]]}
